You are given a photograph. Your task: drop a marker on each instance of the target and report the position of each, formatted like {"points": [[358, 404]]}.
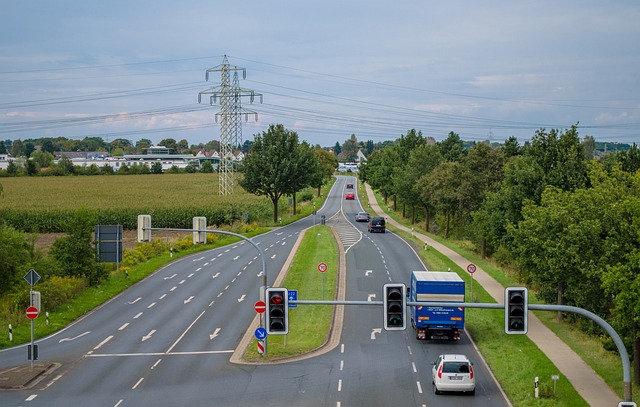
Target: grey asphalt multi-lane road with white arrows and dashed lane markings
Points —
{"points": [[167, 341]]}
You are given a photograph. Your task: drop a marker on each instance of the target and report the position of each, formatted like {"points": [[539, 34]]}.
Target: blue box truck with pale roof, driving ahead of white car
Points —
{"points": [[432, 322]]}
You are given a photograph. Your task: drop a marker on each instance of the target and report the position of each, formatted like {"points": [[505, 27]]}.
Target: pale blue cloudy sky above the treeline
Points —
{"points": [[327, 70]]}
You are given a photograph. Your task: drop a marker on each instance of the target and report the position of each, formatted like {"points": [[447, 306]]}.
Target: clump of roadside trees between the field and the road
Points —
{"points": [[279, 165]]}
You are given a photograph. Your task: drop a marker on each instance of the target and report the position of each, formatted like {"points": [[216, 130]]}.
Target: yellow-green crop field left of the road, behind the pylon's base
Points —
{"points": [[46, 204]]}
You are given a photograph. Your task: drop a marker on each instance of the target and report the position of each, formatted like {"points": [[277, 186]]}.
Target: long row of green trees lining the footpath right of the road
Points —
{"points": [[567, 224]]}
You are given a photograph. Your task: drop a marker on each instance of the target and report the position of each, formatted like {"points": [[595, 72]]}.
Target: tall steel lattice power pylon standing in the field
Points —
{"points": [[229, 94]]}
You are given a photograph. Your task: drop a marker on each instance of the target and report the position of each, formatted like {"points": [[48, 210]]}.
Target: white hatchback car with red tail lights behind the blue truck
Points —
{"points": [[453, 373]]}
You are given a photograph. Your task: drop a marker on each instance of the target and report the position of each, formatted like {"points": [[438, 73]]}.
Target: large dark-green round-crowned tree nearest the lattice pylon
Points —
{"points": [[271, 167]]}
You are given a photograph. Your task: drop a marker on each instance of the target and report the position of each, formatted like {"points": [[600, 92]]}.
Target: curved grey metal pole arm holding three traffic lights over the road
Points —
{"points": [[624, 356]]}
